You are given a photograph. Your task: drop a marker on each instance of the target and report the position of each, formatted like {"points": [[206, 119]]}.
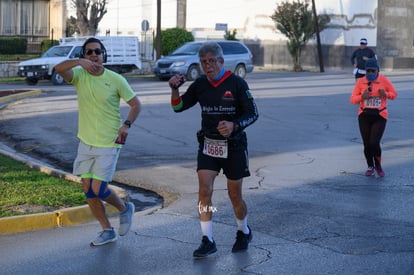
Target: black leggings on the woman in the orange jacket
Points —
{"points": [[372, 128]]}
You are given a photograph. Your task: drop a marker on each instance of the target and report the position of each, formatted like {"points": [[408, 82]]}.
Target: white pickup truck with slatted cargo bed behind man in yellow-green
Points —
{"points": [[122, 56]]}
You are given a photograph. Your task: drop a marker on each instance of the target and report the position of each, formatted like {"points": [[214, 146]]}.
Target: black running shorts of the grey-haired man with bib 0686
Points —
{"points": [[235, 166]]}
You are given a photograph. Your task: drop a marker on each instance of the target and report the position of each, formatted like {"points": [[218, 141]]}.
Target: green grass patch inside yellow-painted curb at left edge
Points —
{"points": [[27, 191]]}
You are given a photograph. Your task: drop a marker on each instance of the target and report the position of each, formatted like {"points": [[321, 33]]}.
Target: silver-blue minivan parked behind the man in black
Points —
{"points": [[184, 60]]}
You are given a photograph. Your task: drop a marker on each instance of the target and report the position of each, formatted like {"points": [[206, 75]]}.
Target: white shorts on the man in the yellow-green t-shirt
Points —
{"points": [[97, 161]]}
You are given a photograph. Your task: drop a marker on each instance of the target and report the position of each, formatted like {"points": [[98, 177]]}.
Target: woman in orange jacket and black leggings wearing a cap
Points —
{"points": [[371, 93]]}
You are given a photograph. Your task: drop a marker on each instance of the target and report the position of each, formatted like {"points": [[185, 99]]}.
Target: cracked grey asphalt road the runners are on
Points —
{"points": [[311, 209]]}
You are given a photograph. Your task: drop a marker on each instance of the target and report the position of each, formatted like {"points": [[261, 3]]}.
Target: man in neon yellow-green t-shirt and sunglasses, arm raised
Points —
{"points": [[101, 132]]}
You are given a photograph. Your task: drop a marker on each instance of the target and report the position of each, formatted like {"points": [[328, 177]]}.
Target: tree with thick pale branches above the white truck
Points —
{"points": [[88, 15]]}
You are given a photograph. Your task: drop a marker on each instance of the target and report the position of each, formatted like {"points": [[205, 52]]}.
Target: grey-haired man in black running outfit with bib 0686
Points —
{"points": [[227, 108]]}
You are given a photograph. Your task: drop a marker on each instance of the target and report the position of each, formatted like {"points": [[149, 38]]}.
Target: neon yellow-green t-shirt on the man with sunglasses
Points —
{"points": [[99, 106]]}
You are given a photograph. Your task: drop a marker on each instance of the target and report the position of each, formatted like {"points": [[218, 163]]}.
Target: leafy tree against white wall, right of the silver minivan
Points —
{"points": [[296, 21]]}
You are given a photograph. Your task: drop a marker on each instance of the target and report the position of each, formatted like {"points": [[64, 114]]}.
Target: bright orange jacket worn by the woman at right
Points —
{"points": [[381, 82]]}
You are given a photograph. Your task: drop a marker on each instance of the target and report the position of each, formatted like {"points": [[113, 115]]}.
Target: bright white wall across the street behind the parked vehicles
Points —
{"points": [[350, 19]]}
